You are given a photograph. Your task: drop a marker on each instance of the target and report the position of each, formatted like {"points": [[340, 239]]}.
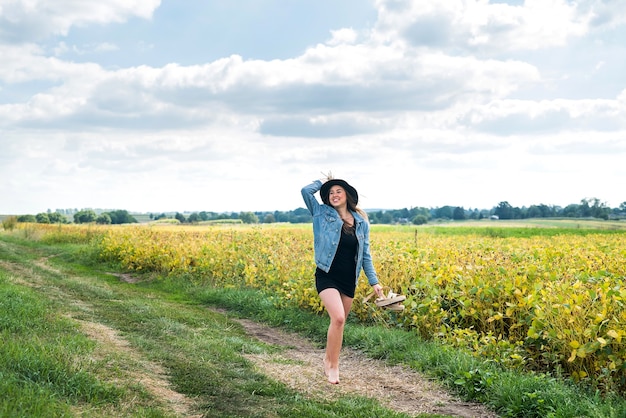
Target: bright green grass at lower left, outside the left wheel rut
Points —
{"points": [[42, 358]]}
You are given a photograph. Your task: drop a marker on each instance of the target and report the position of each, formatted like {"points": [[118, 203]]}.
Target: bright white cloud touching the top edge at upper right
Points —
{"points": [[474, 24]]}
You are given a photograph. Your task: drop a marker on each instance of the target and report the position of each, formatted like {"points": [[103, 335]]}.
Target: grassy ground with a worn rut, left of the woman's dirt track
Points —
{"points": [[56, 361]]}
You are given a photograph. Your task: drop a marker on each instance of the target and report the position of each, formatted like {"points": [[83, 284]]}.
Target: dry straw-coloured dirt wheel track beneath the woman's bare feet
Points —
{"points": [[399, 388]]}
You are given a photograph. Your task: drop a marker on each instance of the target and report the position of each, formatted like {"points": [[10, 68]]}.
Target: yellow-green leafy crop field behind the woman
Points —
{"points": [[547, 302]]}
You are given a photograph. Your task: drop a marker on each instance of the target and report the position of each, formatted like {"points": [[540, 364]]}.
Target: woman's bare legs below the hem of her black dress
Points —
{"points": [[338, 307]]}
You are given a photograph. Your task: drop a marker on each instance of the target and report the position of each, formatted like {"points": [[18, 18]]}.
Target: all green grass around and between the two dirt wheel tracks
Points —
{"points": [[45, 362]]}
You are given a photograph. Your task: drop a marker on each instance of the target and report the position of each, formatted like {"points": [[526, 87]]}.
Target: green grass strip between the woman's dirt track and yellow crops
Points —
{"points": [[512, 394]]}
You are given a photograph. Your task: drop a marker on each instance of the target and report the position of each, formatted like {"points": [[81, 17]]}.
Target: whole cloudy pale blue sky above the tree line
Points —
{"points": [[187, 105]]}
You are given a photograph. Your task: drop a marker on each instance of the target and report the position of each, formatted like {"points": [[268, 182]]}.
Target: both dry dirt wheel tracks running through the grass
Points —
{"points": [[298, 365]]}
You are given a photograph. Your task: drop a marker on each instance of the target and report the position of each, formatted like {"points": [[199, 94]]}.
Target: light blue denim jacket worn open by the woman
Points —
{"points": [[327, 230]]}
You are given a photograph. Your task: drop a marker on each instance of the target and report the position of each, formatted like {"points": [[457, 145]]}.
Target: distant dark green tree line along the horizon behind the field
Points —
{"points": [[587, 208]]}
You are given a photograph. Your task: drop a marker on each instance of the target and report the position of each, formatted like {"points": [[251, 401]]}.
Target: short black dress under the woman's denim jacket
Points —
{"points": [[342, 273]]}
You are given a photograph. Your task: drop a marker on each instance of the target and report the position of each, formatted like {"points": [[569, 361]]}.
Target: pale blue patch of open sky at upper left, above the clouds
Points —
{"points": [[193, 31]]}
